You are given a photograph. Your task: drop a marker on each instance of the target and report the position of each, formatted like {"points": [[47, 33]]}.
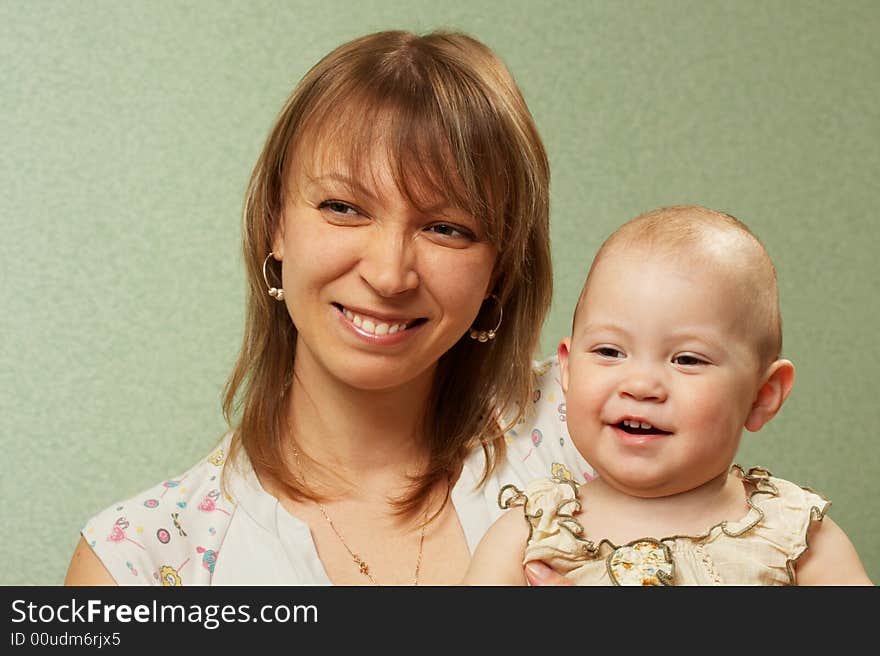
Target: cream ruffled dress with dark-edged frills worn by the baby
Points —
{"points": [[759, 549]]}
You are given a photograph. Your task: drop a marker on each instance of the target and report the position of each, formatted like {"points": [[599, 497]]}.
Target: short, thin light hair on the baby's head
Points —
{"points": [[715, 239]]}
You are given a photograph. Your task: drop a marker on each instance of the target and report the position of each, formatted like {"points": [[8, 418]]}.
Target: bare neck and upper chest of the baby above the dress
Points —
{"points": [[611, 514]]}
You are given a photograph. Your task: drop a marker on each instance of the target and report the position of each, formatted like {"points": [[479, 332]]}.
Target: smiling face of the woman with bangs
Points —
{"points": [[378, 289]]}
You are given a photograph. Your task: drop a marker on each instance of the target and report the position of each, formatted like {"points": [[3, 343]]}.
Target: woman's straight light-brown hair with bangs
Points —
{"points": [[450, 117]]}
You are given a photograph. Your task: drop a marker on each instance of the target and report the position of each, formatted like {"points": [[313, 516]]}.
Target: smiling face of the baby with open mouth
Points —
{"points": [[660, 373]]}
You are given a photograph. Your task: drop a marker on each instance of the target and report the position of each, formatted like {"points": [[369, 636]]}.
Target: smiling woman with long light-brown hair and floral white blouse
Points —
{"points": [[397, 252]]}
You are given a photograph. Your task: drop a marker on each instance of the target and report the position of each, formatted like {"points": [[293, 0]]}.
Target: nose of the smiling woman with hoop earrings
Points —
{"points": [[389, 263]]}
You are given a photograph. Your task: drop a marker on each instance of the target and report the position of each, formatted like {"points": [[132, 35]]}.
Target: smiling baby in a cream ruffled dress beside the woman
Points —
{"points": [[675, 348]]}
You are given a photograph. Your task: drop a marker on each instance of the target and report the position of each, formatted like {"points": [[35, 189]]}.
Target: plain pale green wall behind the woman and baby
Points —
{"points": [[129, 131]]}
